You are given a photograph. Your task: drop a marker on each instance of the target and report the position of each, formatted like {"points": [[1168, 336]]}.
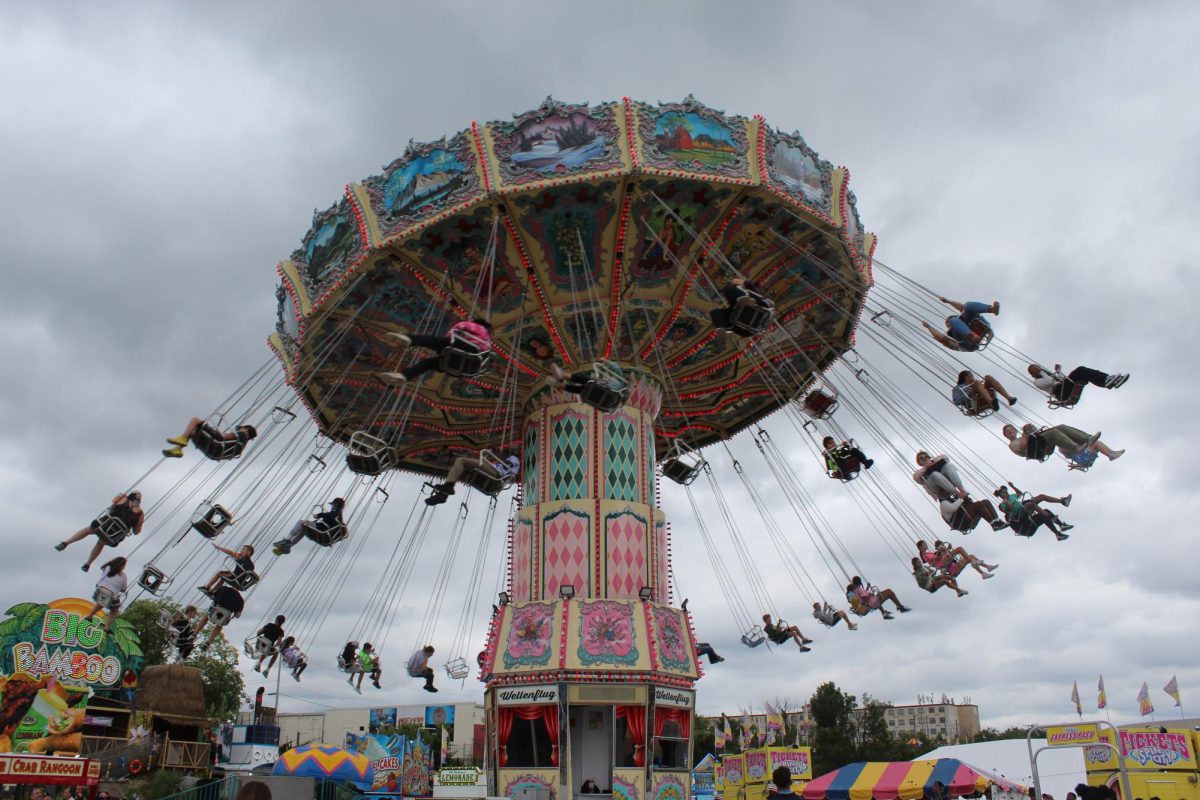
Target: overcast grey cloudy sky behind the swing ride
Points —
{"points": [[160, 159]]}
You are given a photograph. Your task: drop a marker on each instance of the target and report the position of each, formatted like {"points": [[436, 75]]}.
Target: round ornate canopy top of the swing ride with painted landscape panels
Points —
{"points": [[584, 233]]}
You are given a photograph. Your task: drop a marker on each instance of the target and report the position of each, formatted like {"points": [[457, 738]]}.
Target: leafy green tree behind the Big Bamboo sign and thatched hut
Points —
{"points": [[224, 684]]}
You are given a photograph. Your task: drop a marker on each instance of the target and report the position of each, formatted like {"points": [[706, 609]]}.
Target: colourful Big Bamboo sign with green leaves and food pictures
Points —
{"points": [[51, 661]]}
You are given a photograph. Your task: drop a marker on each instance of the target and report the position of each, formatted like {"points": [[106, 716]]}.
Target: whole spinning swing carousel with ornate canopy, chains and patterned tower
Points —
{"points": [[601, 244]]}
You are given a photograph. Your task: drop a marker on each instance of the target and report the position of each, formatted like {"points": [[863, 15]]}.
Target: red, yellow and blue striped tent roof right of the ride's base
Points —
{"points": [[903, 781]]}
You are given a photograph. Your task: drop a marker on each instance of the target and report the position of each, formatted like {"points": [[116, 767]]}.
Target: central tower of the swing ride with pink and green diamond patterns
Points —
{"points": [[590, 669]]}
